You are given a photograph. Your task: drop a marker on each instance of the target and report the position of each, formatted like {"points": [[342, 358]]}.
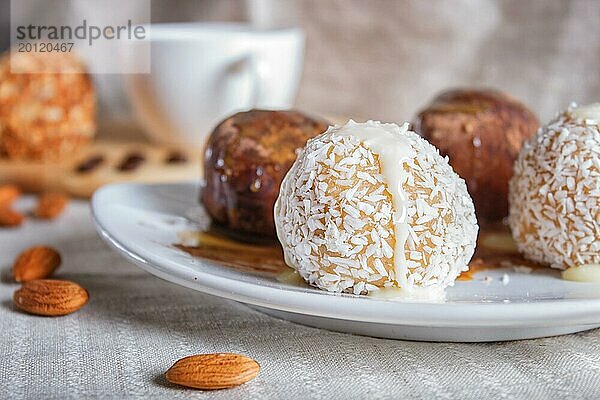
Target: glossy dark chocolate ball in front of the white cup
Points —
{"points": [[245, 160]]}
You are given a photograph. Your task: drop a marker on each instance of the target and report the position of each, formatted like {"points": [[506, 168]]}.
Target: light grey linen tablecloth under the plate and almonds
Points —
{"points": [[136, 325]]}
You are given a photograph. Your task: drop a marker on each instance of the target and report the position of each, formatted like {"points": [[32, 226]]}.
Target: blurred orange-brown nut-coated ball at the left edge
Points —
{"points": [[45, 115]]}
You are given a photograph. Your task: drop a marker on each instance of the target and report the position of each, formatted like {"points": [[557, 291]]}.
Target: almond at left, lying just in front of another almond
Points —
{"points": [[50, 297]]}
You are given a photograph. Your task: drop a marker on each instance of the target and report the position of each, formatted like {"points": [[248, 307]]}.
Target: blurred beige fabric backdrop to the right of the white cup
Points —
{"points": [[386, 59]]}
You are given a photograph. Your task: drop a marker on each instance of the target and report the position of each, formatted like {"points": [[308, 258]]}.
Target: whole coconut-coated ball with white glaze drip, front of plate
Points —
{"points": [[372, 205]]}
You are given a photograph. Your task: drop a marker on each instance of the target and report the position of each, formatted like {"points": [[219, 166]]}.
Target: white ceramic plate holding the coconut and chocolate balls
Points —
{"points": [[142, 222]]}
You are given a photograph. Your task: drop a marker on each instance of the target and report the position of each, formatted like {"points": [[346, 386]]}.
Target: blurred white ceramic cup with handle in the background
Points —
{"points": [[202, 72]]}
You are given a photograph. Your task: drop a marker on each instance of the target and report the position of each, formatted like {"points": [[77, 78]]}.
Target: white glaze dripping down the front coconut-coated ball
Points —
{"points": [[393, 149]]}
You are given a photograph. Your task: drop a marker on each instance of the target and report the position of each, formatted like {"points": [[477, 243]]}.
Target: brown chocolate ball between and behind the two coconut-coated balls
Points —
{"points": [[482, 132]]}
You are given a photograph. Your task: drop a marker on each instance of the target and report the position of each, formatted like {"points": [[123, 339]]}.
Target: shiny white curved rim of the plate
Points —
{"points": [[346, 306]]}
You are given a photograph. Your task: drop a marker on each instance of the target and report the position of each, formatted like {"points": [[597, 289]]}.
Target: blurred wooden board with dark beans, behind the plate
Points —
{"points": [[70, 177]]}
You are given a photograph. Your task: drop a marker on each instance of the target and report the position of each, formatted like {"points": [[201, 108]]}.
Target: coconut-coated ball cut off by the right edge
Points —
{"points": [[555, 191]]}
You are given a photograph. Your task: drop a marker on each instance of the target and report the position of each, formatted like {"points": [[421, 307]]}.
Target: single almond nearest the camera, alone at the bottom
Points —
{"points": [[213, 371]]}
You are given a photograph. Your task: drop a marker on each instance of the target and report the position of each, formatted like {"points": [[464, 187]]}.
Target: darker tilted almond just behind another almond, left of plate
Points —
{"points": [[35, 263]]}
